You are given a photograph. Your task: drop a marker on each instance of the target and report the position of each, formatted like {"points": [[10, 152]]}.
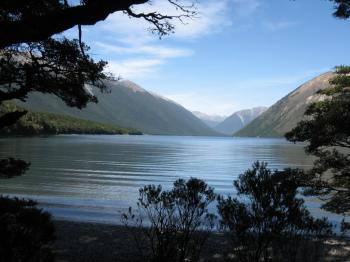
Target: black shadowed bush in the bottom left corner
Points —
{"points": [[26, 232]]}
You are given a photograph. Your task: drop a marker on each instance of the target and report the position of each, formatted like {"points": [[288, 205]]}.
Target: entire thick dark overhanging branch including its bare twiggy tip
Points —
{"points": [[40, 27]]}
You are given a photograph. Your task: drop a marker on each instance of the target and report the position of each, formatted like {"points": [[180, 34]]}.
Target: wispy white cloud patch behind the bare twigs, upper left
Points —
{"points": [[133, 51]]}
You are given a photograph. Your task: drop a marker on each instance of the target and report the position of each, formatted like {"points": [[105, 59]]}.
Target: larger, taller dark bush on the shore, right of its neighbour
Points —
{"points": [[268, 219]]}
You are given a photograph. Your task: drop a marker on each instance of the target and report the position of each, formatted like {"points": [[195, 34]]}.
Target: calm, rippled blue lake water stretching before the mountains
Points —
{"points": [[94, 178]]}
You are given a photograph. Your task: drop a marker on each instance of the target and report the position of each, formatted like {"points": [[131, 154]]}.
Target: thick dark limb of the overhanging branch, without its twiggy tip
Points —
{"points": [[38, 28]]}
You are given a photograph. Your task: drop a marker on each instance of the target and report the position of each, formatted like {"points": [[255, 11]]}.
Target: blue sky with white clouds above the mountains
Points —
{"points": [[236, 54]]}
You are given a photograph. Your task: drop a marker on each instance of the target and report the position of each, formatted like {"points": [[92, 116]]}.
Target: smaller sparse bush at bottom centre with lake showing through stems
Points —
{"points": [[172, 225]]}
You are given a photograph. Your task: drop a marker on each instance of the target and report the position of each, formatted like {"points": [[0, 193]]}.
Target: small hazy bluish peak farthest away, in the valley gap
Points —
{"points": [[238, 120]]}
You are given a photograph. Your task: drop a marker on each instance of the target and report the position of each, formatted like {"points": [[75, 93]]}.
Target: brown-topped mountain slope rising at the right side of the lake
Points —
{"points": [[287, 112]]}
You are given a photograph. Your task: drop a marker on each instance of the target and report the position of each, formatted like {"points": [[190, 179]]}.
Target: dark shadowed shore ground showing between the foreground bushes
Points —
{"points": [[97, 242]]}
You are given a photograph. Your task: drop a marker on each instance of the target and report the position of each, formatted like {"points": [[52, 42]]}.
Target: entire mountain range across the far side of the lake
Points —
{"points": [[129, 105]]}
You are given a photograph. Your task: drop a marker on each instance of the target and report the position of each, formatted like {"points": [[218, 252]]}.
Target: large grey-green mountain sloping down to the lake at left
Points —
{"points": [[128, 105]]}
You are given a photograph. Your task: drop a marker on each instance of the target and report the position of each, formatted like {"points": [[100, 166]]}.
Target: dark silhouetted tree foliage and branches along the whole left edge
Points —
{"points": [[34, 57]]}
